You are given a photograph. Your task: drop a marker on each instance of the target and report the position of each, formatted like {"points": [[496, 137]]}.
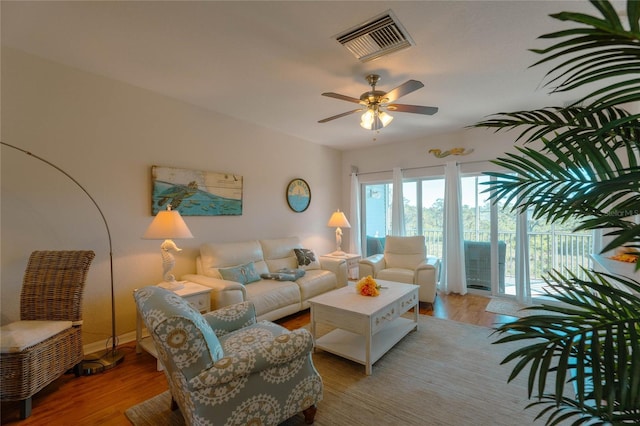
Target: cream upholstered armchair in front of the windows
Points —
{"points": [[404, 260]]}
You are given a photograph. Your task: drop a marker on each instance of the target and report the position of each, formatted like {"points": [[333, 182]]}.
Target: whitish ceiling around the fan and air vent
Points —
{"points": [[267, 62]]}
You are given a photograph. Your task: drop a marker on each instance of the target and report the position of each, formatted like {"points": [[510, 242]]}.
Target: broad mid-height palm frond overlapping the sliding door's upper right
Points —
{"points": [[569, 183]]}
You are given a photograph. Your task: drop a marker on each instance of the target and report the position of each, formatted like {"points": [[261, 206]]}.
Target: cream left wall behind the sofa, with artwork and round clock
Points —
{"points": [[107, 135]]}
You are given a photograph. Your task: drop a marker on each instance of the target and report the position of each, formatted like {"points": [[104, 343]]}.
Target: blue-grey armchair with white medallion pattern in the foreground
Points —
{"points": [[223, 367]]}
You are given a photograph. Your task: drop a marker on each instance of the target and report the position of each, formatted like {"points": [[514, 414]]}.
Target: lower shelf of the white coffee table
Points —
{"points": [[354, 346]]}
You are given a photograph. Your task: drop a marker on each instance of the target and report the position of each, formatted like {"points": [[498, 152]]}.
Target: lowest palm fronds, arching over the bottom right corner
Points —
{"points": [[577, 341]]}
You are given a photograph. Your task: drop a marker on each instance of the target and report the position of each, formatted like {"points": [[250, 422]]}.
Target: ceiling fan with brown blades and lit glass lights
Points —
{"points": [[375, 101]]}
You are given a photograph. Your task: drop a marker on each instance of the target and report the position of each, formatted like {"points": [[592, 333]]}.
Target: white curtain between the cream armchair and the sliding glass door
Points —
{"points": [[453, 278]]}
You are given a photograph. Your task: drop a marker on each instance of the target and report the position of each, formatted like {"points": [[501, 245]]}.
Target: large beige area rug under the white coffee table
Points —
{"points": [[446, 373]]}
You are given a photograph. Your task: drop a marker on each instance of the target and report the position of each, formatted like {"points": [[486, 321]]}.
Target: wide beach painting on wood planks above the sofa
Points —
{"points": [[196, 193]]}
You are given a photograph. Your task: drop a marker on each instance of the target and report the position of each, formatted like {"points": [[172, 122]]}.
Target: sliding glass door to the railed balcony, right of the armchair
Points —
{"points": [[491, 238]]}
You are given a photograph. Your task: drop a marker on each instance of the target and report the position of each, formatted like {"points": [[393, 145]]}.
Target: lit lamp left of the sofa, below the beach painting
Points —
{"points": [[166, 225]]}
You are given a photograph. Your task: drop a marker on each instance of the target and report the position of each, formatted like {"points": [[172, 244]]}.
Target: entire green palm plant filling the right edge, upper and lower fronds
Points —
{"points": [[586, 169]]}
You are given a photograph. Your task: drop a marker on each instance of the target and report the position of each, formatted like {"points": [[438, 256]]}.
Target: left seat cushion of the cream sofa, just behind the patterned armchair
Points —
{"points": [[269, 295]]}
